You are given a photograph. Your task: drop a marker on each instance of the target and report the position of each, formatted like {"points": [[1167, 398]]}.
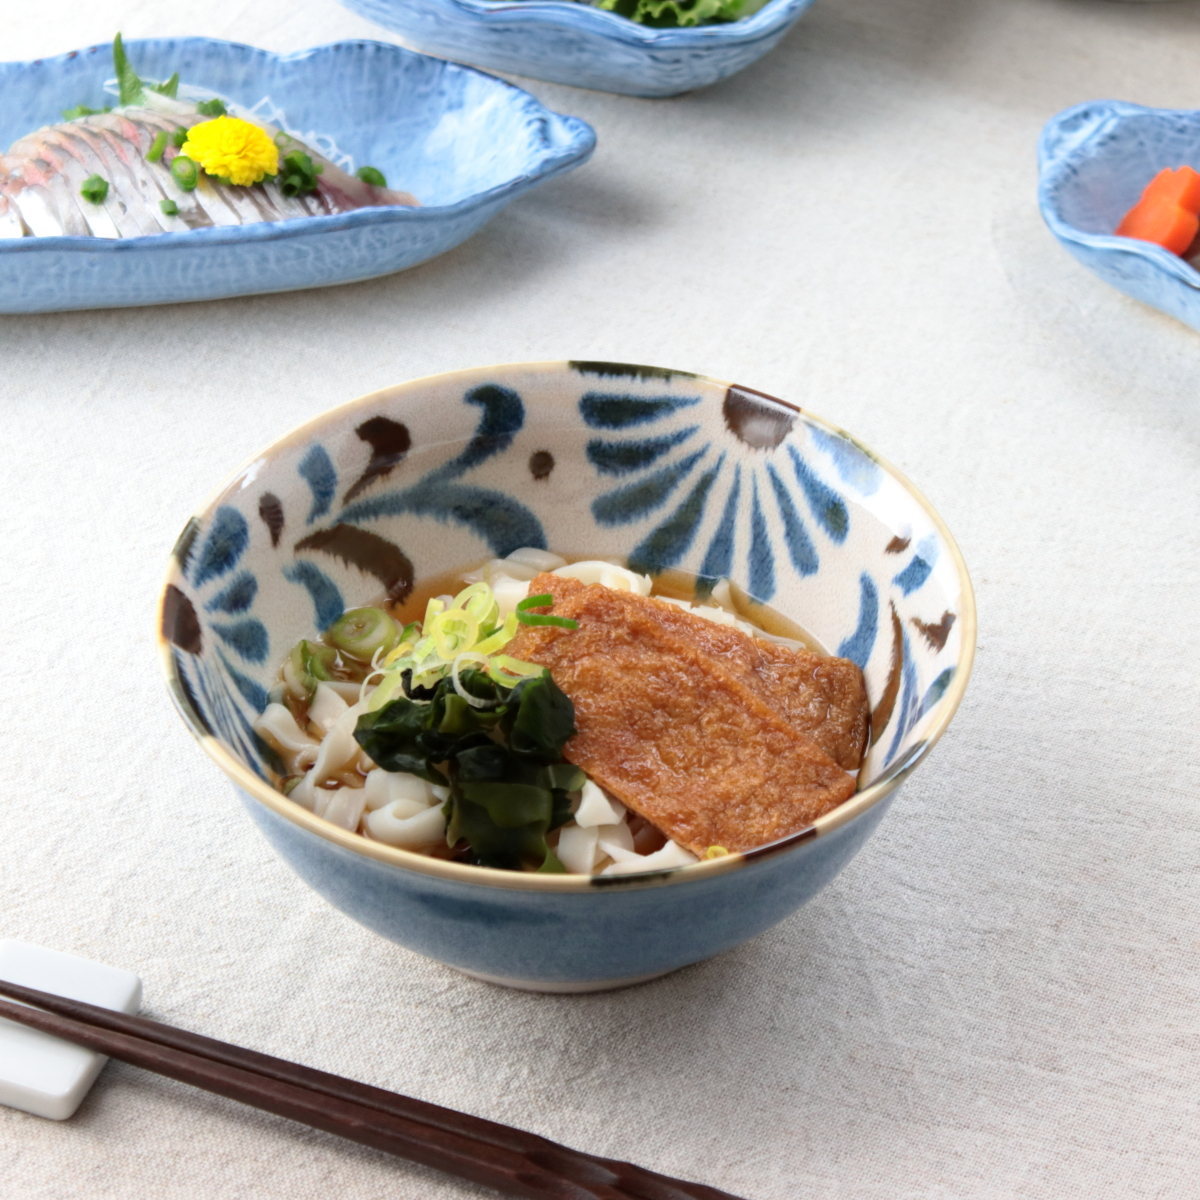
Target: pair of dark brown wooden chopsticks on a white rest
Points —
{"points": [[487, 1153]]}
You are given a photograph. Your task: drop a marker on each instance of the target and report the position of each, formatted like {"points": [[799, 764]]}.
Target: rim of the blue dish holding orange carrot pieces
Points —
{"points": [[1055, 167]]}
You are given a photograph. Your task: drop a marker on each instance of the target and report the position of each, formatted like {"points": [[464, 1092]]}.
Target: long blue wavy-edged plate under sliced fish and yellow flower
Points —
{"points": [[464, 143]]}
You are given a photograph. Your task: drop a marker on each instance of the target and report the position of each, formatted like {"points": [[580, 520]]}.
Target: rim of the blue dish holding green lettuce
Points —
{"points": [[561, 14]]}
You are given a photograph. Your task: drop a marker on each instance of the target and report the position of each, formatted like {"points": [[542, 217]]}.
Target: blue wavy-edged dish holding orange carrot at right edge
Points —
{"points": [[1095, 161]]}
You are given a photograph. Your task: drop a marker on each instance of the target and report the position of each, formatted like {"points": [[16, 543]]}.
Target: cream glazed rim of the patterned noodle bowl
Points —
{"points": [[862, 802]]}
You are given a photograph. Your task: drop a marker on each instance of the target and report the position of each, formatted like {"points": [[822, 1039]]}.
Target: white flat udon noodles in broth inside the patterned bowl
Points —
{"points": [[323, 695]]}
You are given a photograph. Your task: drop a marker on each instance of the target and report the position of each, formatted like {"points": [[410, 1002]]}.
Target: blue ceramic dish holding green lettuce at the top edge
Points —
{"points": [[583, 46]]}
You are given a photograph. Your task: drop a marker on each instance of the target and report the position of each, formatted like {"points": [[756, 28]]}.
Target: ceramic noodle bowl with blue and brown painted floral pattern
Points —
{"points": [[663, 469]]}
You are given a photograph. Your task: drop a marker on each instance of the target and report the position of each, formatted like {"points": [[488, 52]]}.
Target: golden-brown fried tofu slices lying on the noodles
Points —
{"points": [[685, 721]]}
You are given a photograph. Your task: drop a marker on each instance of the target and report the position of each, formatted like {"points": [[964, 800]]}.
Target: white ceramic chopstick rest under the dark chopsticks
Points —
{"points": [[43, 1075]]}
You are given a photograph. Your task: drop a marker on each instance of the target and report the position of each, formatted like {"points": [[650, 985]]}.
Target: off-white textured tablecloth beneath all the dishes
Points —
{"points": [[1001, 995]]}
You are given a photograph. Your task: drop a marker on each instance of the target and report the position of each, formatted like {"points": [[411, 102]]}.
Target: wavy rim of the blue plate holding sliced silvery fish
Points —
{"points": [[581, 146]]}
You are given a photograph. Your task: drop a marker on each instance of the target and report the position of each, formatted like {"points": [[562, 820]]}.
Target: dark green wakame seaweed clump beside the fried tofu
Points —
{"points": [[502, 763]]}
